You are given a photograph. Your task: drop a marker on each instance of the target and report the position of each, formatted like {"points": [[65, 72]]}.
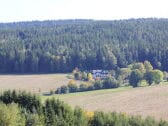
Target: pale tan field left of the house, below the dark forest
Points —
{"points": [[33, 83]]}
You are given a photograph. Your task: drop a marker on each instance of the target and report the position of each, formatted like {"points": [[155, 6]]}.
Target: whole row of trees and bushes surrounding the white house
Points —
{"points": [[135, 74]]}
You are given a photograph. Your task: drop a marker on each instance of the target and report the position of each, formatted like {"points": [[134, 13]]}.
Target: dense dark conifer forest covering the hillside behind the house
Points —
{"points": [[60, 46]]}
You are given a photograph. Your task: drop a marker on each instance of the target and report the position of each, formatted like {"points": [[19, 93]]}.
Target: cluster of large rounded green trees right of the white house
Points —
{"points": [[144, 72]]}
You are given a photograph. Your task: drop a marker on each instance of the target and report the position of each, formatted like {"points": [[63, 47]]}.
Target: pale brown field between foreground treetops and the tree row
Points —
{"points": [[144, 101]]}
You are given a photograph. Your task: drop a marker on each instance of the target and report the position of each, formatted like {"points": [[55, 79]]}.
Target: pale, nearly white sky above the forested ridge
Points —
{"points": [[27, 10]]}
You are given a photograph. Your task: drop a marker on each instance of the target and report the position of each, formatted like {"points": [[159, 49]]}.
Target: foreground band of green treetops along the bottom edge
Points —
{"points": [[14, 112]]}
